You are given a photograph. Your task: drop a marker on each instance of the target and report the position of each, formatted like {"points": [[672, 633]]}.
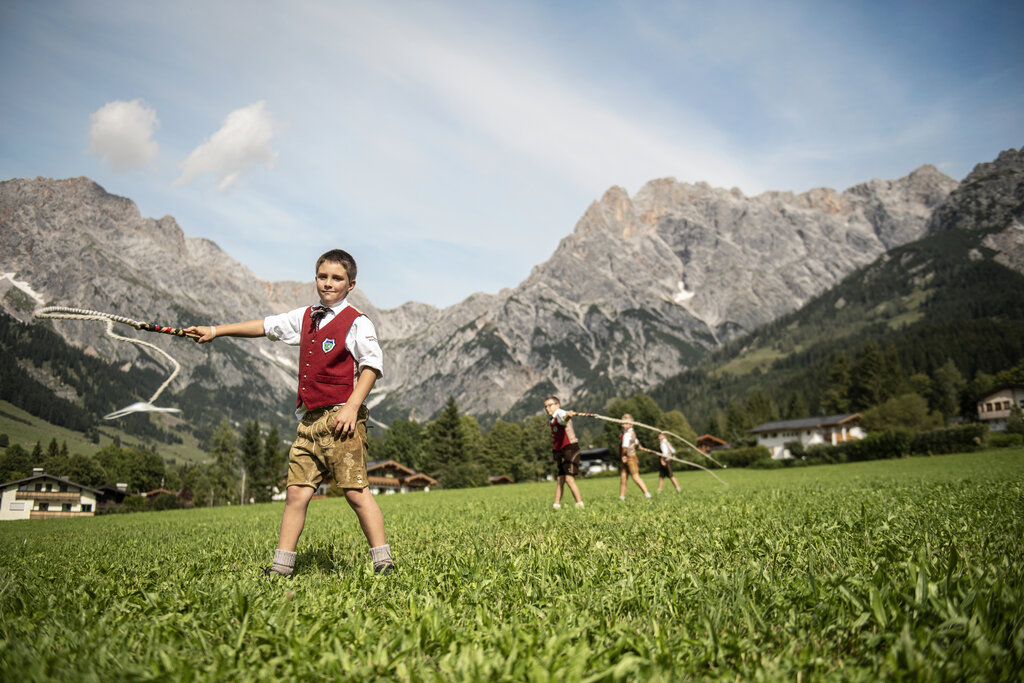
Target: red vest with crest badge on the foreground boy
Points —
{"points": [[327, 371]]}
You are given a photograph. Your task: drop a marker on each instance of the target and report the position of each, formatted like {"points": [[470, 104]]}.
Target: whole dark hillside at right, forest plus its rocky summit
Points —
{"points": [[941, 318]]}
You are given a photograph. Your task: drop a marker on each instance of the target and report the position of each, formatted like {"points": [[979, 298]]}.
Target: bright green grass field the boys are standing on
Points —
{"points": [[907, 570]]}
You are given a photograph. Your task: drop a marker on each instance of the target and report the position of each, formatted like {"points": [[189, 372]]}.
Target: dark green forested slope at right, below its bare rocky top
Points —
{"points": [[913, 313]]}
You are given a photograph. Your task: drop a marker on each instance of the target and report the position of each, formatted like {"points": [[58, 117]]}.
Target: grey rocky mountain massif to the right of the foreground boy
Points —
{"points": [[644, 288]]}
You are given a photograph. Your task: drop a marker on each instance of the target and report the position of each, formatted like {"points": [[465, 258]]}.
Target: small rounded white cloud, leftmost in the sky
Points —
{"points": [[121, 134]]}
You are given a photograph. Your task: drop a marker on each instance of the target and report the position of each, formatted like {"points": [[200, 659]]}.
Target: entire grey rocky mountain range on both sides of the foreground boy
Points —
{"points": [[642, 289]]}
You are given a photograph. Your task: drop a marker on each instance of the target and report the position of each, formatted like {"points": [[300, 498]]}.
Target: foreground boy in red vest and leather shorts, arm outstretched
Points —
{"points": [[339, 362]]}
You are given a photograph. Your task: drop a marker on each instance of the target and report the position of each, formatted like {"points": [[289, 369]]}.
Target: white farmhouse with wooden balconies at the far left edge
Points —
{"points": [[44, 496]]}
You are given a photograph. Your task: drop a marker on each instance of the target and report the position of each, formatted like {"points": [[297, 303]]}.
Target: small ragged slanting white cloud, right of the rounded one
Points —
{"points": [[242, 143]]}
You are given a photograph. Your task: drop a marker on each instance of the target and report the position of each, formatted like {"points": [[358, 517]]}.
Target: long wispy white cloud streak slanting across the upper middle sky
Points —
{"points": [[529, 108]]}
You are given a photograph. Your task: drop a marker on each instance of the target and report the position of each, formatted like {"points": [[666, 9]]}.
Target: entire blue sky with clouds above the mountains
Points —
{"points": [[451, 146]]}
